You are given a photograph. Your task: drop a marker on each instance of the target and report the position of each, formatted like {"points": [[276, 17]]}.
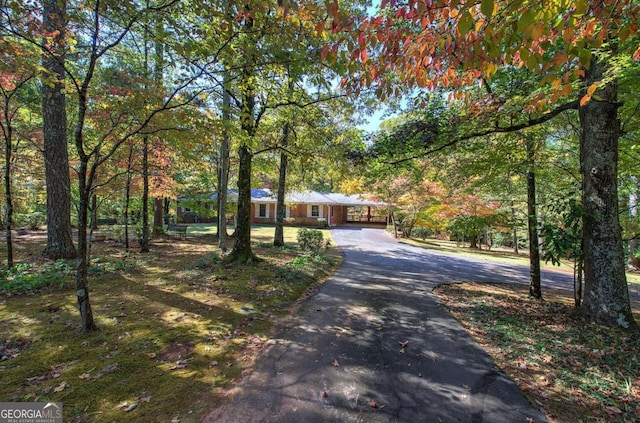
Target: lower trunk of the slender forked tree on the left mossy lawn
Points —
{"points": [[82, 277]]}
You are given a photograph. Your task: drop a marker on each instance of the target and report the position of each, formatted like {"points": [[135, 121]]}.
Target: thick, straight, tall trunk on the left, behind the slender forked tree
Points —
{"points": [[54, 117]]}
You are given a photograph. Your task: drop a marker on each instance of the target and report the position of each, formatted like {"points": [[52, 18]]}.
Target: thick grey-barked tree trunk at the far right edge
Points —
{"points": [[606, 298]]}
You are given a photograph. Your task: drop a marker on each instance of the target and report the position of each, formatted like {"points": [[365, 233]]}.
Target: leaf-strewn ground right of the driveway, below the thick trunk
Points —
{"points": [[571, 369]]}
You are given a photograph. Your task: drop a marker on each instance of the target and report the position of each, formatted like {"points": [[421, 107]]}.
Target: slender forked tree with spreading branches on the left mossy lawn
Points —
{"points": [[116, 118]]}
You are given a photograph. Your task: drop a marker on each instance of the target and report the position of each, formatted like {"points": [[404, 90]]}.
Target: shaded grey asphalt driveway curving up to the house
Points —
{"points": [[375, 345]]}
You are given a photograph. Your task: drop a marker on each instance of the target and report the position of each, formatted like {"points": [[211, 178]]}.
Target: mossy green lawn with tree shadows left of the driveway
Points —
{"points": [[176, 325]]}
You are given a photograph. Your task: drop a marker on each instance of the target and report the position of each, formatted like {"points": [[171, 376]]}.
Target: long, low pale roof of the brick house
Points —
{"points": [[265, 195]]}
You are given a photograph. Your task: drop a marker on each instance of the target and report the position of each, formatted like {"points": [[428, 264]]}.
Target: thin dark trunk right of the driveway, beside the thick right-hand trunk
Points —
{"points": [[535, 289]]}
